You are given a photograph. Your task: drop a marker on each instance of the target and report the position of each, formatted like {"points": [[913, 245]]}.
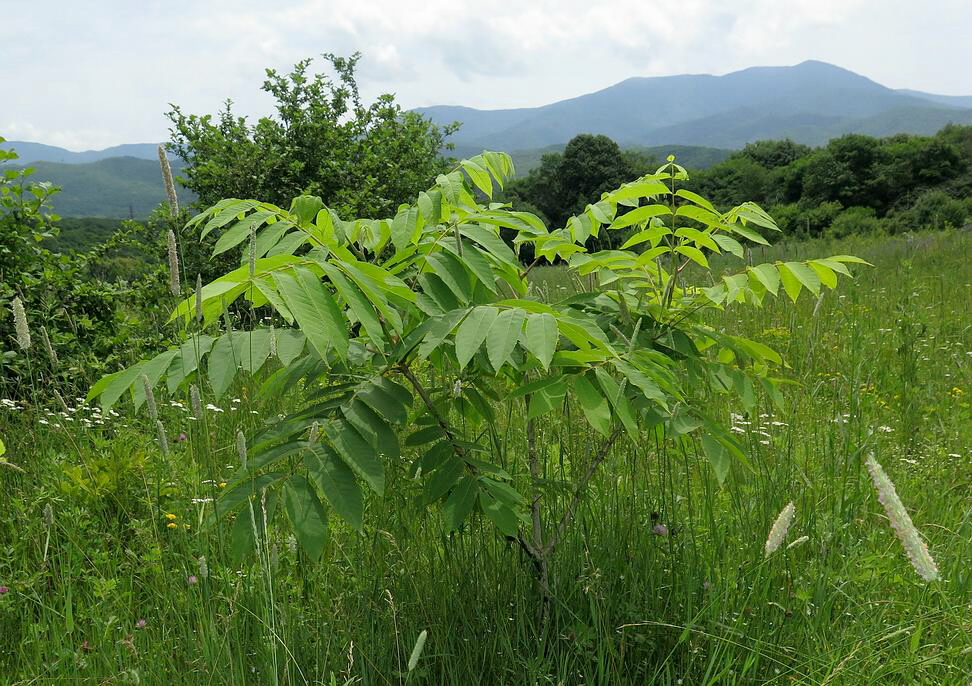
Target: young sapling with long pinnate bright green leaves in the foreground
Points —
{"points": [[425, 320]]}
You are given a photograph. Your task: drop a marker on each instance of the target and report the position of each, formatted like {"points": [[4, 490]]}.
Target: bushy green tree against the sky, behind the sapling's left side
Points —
{"points": [[362, 160]]}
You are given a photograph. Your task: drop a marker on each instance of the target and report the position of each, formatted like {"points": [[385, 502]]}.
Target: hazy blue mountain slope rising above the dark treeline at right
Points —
{"points": [[809, 102]]}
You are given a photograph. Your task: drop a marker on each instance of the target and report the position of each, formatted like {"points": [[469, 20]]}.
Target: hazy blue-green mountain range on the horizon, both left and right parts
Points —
{"points": [[700, 117]]}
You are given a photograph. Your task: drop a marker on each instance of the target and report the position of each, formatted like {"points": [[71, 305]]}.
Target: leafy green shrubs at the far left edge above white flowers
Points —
{"points": [[72, 299]]}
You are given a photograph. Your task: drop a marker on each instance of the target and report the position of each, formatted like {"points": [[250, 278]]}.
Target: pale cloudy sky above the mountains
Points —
{"points": [[92, 74]]}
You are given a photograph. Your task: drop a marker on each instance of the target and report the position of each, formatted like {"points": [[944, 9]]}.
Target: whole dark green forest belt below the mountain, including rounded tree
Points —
{"points": [[853, 185]]}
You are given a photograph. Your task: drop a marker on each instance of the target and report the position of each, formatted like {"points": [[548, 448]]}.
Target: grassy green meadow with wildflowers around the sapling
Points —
{"points": [[110, 576]]}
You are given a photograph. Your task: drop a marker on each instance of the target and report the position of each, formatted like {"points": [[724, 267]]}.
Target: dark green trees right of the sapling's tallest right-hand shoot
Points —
{"points": [[808, 188]]}
